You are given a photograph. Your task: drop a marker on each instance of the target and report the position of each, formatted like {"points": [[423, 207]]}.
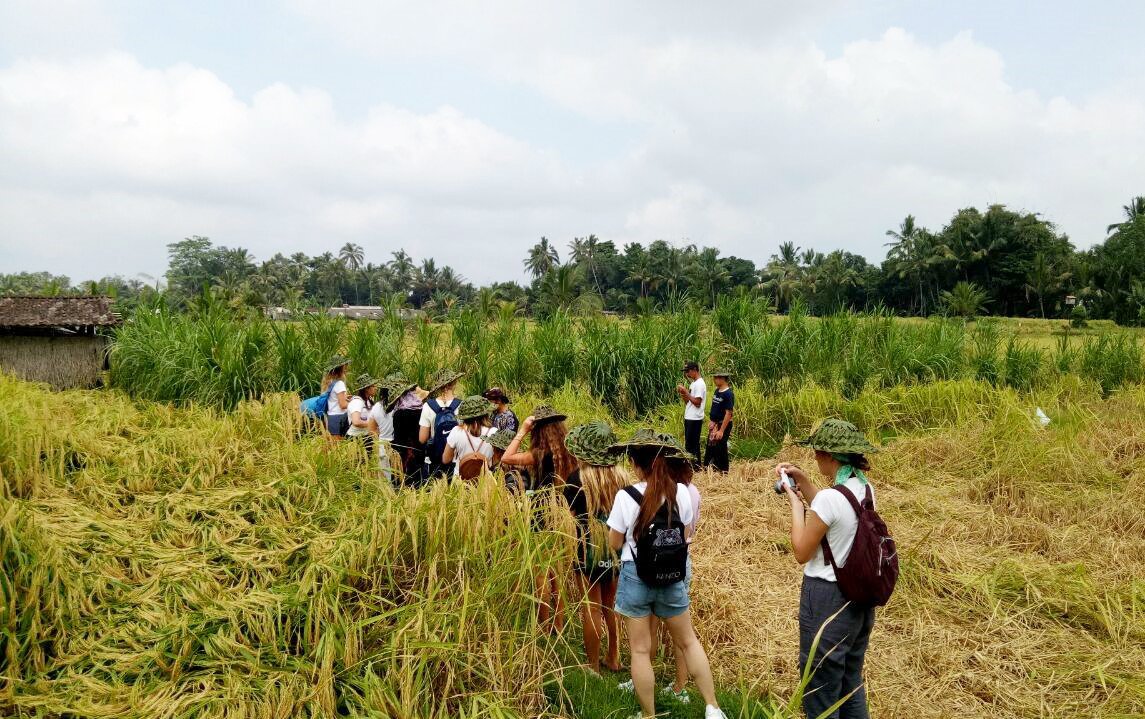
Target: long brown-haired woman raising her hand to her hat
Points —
{"points": [[549, 463]]}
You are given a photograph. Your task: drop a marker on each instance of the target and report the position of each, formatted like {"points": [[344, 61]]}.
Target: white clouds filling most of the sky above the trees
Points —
{"points": [[748, 137]]}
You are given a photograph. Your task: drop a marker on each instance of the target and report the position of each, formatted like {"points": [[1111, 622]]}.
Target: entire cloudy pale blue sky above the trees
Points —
{"points": [[467, 131]]}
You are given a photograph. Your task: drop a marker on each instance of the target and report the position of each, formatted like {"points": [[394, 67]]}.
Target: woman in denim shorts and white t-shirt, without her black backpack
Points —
{"points": [[637, 602]]}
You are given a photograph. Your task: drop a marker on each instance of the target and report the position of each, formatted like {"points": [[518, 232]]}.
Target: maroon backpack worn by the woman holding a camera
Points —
{"points": [[873, 565]]}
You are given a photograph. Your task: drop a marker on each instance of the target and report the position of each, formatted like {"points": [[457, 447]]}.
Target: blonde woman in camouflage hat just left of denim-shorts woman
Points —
{"points": [[589, 492]]}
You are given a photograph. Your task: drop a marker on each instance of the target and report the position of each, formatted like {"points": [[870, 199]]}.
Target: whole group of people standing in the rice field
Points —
{"points": [[637, 509]]}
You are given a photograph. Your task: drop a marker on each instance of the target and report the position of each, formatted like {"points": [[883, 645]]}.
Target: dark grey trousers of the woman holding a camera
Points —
{"points": [[838, 665]]}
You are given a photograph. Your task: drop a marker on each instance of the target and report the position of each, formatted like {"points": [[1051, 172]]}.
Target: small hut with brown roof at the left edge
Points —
{"points": [[61, 341]]}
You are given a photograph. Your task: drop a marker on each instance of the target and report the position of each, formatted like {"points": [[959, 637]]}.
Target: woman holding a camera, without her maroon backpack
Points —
{"points": [[841, 453]]}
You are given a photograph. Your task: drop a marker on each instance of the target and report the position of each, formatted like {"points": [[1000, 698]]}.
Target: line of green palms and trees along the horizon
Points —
{"points": [[998, 263]]}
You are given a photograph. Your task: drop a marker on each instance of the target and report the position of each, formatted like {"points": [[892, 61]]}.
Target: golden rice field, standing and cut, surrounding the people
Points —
{"points": [[181, 560]]}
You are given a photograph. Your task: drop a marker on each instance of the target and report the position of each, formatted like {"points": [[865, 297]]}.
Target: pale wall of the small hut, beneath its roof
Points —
{"points": [[64, 362]]}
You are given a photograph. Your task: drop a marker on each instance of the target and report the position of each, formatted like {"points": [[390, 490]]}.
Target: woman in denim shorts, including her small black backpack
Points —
{"points": [[650, 526]]}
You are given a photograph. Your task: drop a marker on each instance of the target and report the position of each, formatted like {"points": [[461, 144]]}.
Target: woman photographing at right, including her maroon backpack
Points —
{"points": [[842, 525]]}
